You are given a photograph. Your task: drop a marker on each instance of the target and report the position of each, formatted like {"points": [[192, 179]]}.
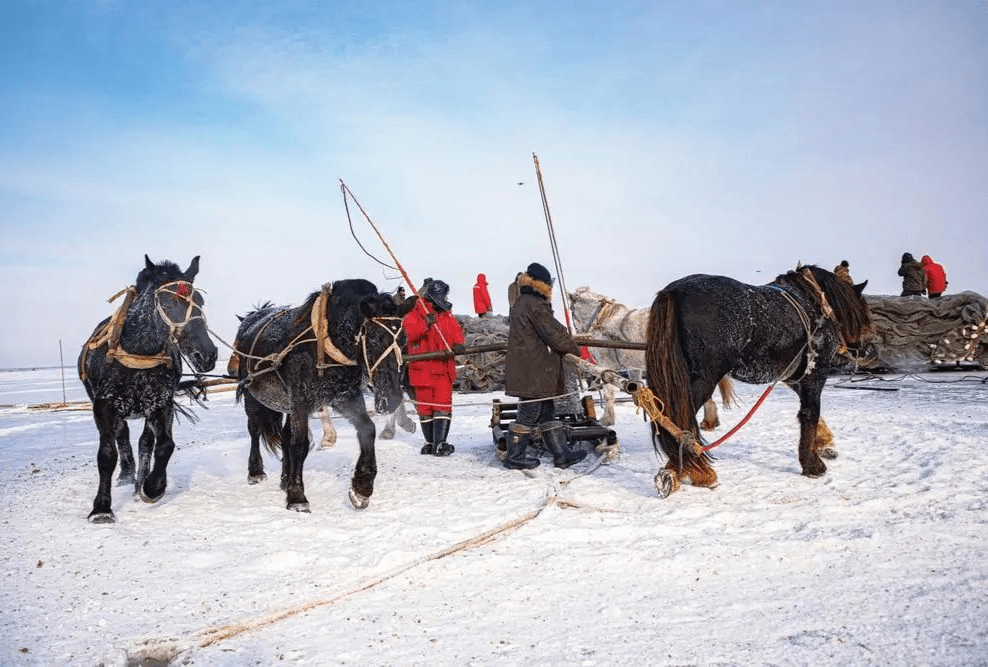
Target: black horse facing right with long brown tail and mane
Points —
{"points": [[701, 328]]}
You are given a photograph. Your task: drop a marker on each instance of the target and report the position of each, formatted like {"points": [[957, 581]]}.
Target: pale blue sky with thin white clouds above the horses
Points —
{"points": [[734, 138]]}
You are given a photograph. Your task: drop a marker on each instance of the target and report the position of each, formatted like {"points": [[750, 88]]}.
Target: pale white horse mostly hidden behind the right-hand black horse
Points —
{"points": [[602, 318]]}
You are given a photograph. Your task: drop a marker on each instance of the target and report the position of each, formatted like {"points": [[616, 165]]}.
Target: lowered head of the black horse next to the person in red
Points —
{"points": [[382, 339]]}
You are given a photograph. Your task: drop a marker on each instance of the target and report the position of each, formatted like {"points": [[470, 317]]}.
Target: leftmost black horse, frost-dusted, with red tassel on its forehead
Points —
{"points": [[131, 367]]}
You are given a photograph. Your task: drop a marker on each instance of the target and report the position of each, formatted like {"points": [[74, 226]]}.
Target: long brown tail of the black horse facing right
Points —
{"points": [[669, 379]]}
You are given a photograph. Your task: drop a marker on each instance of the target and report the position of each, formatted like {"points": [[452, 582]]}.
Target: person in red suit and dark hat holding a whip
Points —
{"points": [[431, 327]]}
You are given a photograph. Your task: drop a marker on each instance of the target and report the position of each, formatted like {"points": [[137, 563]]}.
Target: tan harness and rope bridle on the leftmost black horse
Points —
{"points": [[109, 334]]}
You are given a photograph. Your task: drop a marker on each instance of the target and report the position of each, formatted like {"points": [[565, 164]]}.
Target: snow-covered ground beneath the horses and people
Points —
{"points": [[460, 561]]}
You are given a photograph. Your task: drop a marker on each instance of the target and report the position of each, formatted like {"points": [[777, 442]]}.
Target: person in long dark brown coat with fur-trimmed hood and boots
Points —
{"points": [[533, 372]]}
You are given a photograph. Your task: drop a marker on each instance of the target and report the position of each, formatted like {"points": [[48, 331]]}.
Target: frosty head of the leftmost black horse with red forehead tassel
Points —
{"points": [[180, 306]]}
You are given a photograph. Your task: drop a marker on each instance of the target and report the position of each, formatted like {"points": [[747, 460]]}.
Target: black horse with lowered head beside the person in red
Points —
{"points": [[295, 360]]}
